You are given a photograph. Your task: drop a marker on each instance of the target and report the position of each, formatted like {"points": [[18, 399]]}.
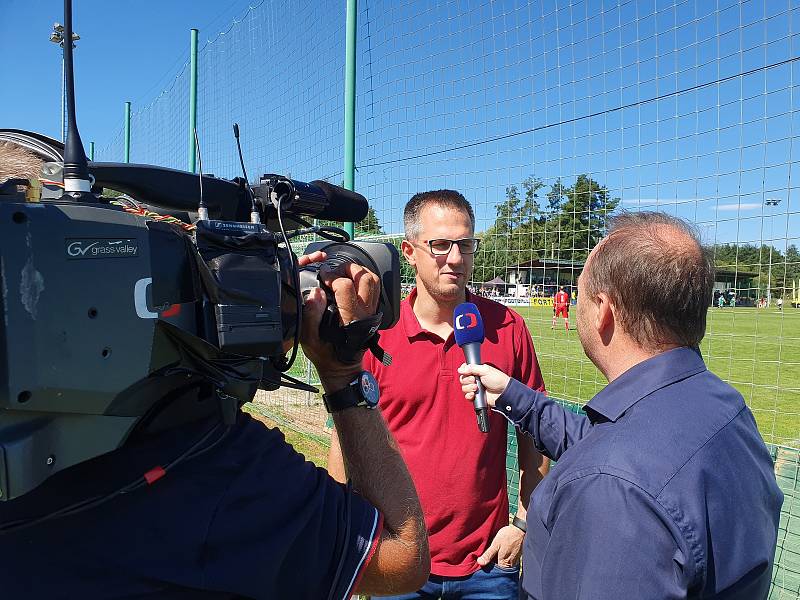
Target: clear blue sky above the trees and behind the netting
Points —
{"points": [[475, 95]]}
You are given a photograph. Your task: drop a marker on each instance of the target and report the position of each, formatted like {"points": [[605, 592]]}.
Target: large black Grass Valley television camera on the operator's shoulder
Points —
{"points": [[106, 314]]}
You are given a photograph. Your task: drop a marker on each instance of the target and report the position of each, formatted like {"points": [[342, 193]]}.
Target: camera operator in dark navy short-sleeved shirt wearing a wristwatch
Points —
{"points": [[244, 515]]}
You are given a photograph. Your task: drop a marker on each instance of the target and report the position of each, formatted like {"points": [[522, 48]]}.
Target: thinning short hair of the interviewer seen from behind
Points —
{"points": [[658, 275]]}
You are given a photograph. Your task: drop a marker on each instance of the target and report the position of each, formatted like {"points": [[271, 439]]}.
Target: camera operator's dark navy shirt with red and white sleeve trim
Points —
{"points": [[248, 519]]}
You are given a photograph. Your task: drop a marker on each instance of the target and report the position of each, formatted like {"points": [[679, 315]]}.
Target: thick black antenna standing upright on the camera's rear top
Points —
{"points": [[77, 181]]}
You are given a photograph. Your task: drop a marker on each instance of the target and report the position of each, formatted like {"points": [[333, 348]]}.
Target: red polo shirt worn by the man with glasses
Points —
{"points": [[459, 472]]}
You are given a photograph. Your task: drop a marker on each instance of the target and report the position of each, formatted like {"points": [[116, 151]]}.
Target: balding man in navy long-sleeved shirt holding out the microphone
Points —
{"points": [[664, 488]]}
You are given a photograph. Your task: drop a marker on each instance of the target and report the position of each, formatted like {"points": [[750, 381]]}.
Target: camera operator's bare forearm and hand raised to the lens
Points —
{"points": [[401, 561]]}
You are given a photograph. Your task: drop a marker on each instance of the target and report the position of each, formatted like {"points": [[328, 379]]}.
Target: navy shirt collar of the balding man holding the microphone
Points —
{"points": [[642, 380]]}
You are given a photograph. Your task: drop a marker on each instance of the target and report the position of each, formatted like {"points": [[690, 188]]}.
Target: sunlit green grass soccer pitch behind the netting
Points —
{"points": [[755, 350]]}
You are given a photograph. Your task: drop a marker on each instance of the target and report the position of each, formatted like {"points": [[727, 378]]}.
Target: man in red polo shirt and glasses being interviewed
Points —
{"points": [[459, 472]]}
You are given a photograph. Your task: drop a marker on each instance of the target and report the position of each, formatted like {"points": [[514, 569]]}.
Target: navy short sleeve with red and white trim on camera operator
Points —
{"points": [[285, 529]]}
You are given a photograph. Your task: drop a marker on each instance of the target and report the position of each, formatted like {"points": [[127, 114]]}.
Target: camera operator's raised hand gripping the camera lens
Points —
{"points": [[356, 290]]}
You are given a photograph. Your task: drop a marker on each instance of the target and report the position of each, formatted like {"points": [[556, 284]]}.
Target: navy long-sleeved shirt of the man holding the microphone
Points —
{"points": [[663, 490]]}
